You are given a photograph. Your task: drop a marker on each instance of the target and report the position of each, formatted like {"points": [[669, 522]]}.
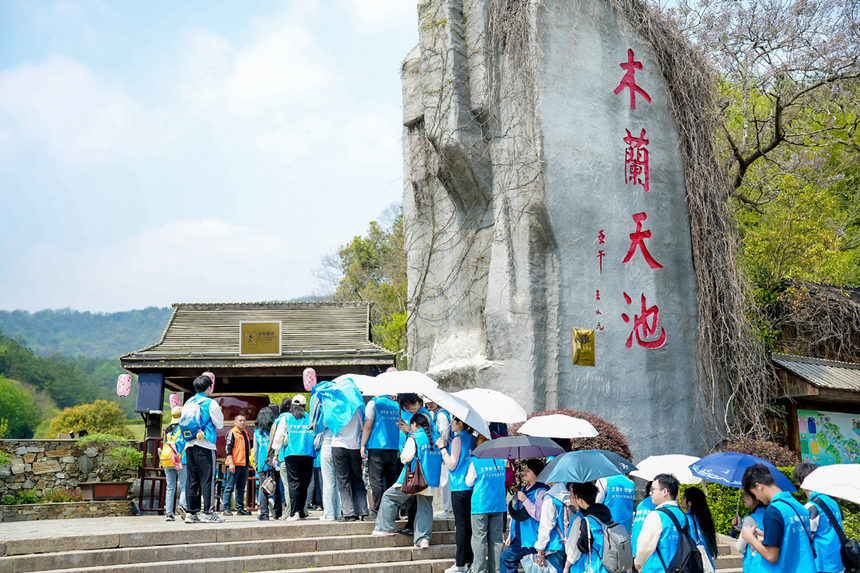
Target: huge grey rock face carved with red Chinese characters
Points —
{"points": [[545, 215]]}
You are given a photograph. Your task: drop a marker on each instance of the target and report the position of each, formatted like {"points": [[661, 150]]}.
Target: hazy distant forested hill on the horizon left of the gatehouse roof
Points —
{"points": [[85, 334]]}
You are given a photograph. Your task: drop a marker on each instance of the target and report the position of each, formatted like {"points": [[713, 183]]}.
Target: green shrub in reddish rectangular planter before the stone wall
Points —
{"points": [[117, 466]]}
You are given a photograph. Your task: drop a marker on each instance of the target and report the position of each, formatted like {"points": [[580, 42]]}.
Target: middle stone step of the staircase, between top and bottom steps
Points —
{"points": [[223, 550]]}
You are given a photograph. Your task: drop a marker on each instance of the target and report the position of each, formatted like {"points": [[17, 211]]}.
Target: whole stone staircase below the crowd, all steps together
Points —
{"points": [[231, 547]]}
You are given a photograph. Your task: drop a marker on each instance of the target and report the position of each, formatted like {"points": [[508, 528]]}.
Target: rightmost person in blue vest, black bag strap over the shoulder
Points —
{"points": [[825, 540]]}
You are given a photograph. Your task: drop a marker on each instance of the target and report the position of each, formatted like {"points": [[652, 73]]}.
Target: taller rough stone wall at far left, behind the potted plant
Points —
{"points": [[41, 465]]}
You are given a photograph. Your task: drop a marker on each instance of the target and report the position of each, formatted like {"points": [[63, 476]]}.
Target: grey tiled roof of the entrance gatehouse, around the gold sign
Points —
{"points": [[330, 332]]}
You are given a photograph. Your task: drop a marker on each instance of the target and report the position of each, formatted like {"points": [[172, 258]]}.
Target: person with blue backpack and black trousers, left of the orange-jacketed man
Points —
{"points": [[199, 424]]}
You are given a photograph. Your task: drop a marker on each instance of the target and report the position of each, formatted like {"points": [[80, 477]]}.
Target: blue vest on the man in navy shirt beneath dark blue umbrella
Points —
{"points": [[795, 551]]}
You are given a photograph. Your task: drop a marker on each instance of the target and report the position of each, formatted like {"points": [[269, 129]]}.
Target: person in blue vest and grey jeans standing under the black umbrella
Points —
{"points": [[486, 477]]}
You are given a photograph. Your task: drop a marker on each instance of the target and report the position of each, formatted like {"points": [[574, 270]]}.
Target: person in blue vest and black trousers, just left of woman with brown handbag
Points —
{"points": [[379, 446]]}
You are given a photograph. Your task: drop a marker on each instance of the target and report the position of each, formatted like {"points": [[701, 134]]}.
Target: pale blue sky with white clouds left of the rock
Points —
{"points": [[165, 152]]}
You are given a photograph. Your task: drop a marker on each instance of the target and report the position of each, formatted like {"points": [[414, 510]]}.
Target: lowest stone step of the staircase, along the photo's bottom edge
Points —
{"points": [[279, 562]]}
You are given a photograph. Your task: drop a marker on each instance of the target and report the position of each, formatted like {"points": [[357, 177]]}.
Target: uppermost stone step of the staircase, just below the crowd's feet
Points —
{"points": [[178, 533]]}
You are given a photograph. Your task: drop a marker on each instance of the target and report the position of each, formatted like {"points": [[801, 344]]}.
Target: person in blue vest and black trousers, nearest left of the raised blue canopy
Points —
{"points": [[298, 450]]}
